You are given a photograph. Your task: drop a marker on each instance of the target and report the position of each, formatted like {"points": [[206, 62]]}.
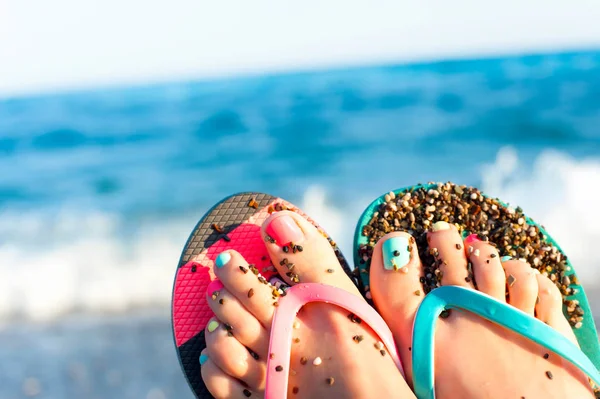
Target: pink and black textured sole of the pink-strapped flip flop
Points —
{"points": [[234, 223]]}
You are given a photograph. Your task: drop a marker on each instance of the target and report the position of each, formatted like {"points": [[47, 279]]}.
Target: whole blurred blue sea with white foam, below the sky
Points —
{"points": [[99, 189]]}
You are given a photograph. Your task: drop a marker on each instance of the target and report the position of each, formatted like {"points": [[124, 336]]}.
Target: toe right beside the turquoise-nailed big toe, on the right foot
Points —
{"points": [[445, 244]]}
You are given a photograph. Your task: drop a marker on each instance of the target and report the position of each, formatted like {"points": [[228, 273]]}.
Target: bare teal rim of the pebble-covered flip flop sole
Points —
{"points": [[587, 335]]}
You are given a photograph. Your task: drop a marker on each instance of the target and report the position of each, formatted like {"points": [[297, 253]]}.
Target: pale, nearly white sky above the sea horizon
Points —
{"points": [[67, 44]]}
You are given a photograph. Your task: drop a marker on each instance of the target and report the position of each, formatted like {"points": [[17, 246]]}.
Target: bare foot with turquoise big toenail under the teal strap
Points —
{"points": [[475, 358]]}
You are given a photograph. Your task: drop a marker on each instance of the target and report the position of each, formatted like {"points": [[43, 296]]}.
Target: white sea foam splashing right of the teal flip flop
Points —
{"points": [[561, 193]]}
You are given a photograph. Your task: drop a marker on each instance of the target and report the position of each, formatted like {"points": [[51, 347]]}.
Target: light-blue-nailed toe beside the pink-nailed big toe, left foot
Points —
{"points": [[245, 283]]}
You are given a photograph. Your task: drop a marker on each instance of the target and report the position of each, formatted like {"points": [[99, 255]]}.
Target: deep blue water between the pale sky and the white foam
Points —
{"points": [[174, 146]]}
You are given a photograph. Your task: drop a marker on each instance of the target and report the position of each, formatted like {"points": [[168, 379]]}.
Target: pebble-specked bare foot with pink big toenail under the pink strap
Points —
{"points": [[332, 355]]}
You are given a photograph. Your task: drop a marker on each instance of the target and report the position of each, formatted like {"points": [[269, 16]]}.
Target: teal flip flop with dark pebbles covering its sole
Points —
{"points": [[414, 209]]}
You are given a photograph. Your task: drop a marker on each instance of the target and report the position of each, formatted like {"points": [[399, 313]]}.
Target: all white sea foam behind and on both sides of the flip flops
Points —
{"points": [[51, 265]]}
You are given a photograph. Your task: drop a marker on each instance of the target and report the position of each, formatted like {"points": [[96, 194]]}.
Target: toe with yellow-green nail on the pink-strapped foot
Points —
{"points": [[232, 357]]}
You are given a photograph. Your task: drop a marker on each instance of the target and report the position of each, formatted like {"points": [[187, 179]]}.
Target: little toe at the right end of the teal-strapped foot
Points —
{"points": [[549, 307]]}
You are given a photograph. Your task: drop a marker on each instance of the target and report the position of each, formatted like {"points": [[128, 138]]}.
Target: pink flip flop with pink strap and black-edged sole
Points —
{"points": [[234, 223]]}
